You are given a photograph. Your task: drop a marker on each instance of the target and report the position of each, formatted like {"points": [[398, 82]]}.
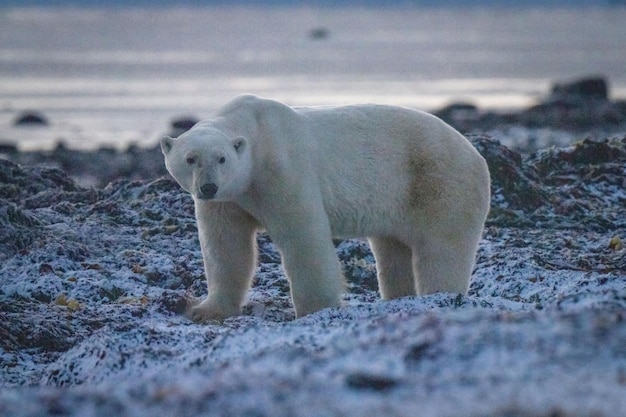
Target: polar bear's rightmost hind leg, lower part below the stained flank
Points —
{"points": [[444, 265]]}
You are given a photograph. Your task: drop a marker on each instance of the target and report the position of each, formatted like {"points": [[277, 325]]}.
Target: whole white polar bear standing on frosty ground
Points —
{"points": [[404, 179]]}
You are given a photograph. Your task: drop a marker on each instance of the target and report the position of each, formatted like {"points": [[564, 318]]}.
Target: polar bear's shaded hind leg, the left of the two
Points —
{"points": [[394, 268]]}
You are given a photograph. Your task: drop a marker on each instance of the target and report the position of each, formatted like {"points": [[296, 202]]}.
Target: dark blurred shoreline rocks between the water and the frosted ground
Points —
{"points": [[572, 111]]}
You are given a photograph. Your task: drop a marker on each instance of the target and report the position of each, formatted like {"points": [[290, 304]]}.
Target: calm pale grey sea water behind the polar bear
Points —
{"points": [[118, 76]]}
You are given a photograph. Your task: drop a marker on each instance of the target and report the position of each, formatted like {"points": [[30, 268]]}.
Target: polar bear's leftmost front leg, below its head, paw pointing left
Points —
{"points": [[228, 241]]}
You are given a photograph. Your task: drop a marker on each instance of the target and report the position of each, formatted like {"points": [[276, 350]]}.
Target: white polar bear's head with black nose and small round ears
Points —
{"points": [[208, 164]]}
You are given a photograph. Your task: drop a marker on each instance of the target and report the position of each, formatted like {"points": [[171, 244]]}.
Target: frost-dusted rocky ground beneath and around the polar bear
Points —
{"points": [[93, 282]]}
